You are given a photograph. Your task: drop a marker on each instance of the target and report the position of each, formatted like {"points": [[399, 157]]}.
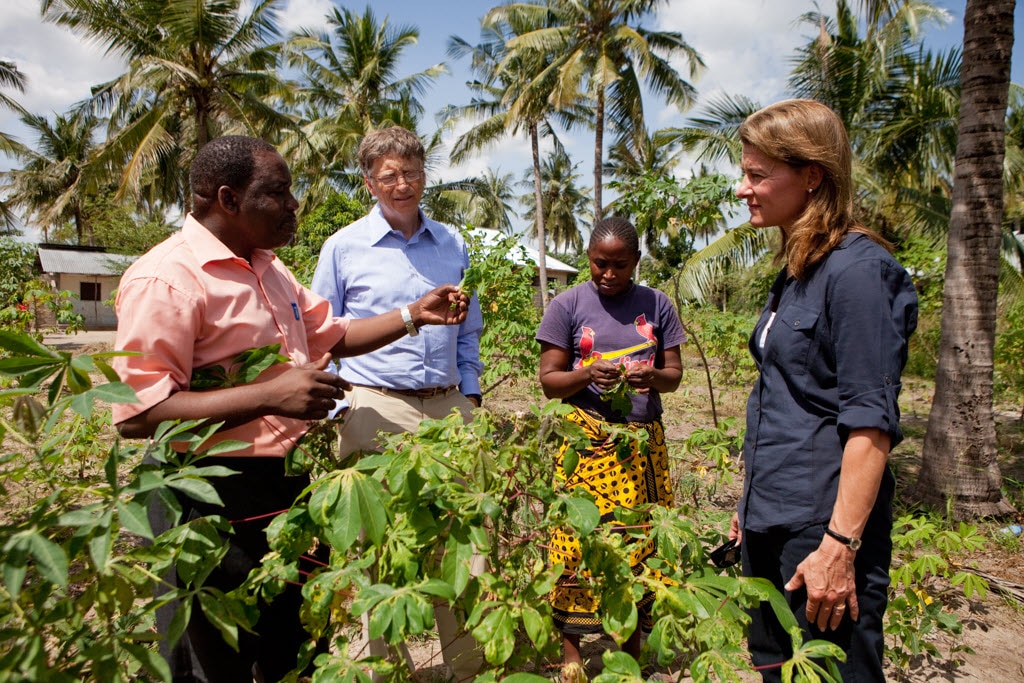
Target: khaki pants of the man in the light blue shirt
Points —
{"points": [[372, 412]]}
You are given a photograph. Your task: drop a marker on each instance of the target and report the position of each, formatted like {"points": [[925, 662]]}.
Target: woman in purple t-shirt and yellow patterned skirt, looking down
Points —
{"points": [[593, 336]]}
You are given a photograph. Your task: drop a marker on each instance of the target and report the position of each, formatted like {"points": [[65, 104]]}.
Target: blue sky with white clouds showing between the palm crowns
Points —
{"points": [[746, 46]]}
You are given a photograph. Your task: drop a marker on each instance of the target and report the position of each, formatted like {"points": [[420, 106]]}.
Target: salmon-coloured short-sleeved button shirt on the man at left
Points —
{"points": [[191, 304]]}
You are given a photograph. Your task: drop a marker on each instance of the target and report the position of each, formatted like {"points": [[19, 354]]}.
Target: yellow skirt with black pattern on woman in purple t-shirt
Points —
{"points": [[643, 481]]}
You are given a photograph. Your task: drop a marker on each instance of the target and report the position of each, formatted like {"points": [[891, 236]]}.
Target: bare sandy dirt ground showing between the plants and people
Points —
{"points": [[994, 625]]}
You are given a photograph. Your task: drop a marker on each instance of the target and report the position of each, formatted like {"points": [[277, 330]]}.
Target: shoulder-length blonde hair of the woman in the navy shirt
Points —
{"points": [[802, 134]]}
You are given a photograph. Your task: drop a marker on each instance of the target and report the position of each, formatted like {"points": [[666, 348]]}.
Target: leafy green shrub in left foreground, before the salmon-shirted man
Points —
{"points": [[77, 599]]}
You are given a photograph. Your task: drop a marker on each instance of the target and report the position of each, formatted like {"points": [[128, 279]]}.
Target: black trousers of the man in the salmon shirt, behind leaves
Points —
{"points": [[202, 656]]}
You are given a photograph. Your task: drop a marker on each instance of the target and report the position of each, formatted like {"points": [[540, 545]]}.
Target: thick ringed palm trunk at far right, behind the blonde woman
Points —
{"points": [[960, 467]]}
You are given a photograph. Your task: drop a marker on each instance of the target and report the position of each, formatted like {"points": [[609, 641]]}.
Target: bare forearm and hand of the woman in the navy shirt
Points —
{"points": [[828, 573]]}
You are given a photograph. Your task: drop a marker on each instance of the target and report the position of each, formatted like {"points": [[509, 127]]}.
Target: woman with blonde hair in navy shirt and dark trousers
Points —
{"points": [[816, 516]]}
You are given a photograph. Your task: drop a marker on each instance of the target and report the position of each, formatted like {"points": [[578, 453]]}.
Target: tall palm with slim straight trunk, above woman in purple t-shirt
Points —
{"points": [[599, 50]]}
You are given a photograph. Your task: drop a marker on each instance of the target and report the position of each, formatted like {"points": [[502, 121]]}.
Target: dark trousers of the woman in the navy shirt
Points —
{"points": [[775, 556]]}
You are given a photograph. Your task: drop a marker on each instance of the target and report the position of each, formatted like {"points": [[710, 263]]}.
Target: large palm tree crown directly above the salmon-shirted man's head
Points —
{"points": [[197, 69]]}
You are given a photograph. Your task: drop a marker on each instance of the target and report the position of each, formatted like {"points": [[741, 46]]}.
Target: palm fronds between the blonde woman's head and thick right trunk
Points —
{"points": [[899, 102]]}
